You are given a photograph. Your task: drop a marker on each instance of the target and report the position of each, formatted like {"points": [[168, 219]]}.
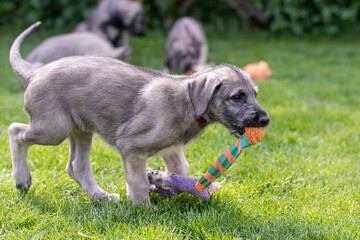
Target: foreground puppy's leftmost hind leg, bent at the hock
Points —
{"points": [[22, 136]]}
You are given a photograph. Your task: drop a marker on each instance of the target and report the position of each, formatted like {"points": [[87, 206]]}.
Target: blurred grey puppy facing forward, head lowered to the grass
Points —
{"points": [[186, 45]]}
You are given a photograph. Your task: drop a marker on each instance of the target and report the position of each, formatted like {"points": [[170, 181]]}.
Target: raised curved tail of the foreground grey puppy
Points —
{"points": [[22, 68]]}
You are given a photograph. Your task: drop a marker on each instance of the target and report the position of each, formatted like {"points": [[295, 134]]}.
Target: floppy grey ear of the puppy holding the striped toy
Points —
{"points": [[201, 90]]}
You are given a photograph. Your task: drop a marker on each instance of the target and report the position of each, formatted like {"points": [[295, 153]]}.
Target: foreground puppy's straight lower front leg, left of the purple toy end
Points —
{"points": [[137, 183]]}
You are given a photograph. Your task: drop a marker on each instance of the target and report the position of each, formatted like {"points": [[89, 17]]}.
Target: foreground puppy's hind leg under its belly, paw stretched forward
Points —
{"points": [[79, 167]]}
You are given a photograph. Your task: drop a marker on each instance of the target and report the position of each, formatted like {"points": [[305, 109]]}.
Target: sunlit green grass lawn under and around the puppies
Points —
{"points": [[301, 182]]}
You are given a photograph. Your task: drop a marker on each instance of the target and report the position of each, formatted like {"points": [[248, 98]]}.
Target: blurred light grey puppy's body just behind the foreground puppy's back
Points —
{"points": [[73, 44]]}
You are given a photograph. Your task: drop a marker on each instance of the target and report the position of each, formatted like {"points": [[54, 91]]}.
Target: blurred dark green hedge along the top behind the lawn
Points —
{"points": [[297, 17]]}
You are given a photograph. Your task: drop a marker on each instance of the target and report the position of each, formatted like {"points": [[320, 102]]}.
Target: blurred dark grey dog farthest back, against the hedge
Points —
{"points": [[115, 20]]}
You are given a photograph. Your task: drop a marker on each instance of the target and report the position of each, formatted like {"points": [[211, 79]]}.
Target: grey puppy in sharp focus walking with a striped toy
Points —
{"points": [[140, 112]]}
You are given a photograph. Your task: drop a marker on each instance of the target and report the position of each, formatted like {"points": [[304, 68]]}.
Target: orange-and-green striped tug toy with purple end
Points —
{"points": [[204, 186]]}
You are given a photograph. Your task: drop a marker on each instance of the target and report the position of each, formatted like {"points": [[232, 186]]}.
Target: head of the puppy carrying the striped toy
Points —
{"points": [[227, 95]]}
